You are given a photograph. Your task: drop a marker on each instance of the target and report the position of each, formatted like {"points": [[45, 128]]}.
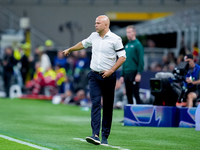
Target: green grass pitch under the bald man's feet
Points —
{"points": [[57, 127]]}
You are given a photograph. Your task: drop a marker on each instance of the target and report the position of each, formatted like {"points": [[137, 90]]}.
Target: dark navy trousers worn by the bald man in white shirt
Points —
{"points": [[101, 88]]}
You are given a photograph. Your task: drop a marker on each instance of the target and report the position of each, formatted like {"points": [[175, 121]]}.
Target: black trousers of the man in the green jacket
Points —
{"points": [[132, 87]]}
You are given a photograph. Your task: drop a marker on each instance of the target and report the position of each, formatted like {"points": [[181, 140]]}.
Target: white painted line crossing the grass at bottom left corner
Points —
{"points": [[24, 143]]}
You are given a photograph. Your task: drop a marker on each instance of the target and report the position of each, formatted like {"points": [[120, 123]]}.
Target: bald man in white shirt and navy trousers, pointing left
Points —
{"points": [[106, 47]]}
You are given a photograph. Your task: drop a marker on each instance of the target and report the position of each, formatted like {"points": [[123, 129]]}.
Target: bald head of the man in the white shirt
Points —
{"points": [[102, 24]]}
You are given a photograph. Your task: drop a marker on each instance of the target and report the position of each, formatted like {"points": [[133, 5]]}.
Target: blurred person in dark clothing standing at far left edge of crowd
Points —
{"points": [[8, 63]]}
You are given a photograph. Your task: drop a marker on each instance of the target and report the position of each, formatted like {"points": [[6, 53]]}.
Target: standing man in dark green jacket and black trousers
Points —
{"points": [[133, 66]]}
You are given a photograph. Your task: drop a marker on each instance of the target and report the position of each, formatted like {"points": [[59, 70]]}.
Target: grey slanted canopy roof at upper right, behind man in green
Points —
{"points": [[187, 21]]}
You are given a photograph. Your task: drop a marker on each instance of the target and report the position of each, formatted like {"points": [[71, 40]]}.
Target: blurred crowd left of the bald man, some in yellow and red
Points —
{"points": [[46, 71]]}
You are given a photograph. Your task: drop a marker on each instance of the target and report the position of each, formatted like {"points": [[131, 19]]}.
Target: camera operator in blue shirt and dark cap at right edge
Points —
{"points": [[192, 81]]}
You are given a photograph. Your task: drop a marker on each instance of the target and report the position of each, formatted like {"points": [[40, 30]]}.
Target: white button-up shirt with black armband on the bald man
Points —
{"points": [[104, 50]]}
